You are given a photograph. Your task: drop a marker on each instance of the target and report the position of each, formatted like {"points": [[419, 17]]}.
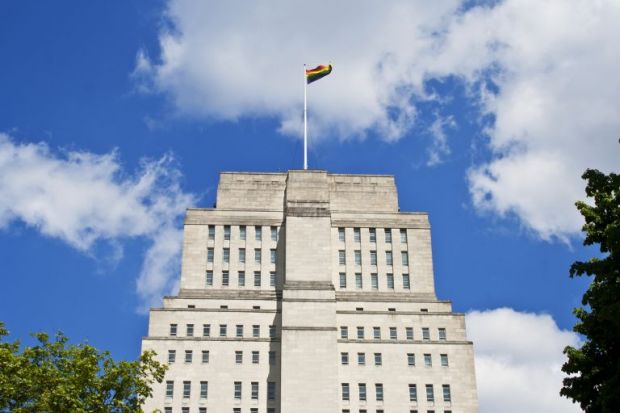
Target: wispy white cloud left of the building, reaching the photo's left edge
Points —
{"points": [[83, 198]]}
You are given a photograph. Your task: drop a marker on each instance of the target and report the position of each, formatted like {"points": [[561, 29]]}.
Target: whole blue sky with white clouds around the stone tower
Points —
{"points": [[115, 116]]}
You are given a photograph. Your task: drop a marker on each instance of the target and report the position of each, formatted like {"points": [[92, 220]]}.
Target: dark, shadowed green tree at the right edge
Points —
{"points": [[594, 369]]}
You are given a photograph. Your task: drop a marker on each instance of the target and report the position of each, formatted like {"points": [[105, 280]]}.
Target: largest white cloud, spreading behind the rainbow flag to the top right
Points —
{"points": [[543, 71]]}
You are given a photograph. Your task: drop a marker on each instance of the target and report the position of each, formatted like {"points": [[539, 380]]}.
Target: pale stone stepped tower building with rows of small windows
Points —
{"points": [[306, 292]]}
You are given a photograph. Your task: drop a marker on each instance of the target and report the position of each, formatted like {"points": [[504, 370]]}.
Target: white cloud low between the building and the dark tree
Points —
{"points": [[518, 361]]}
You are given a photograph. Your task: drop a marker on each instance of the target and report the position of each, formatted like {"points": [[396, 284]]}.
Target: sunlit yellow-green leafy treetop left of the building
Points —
{"points": [[55, 376]]}
